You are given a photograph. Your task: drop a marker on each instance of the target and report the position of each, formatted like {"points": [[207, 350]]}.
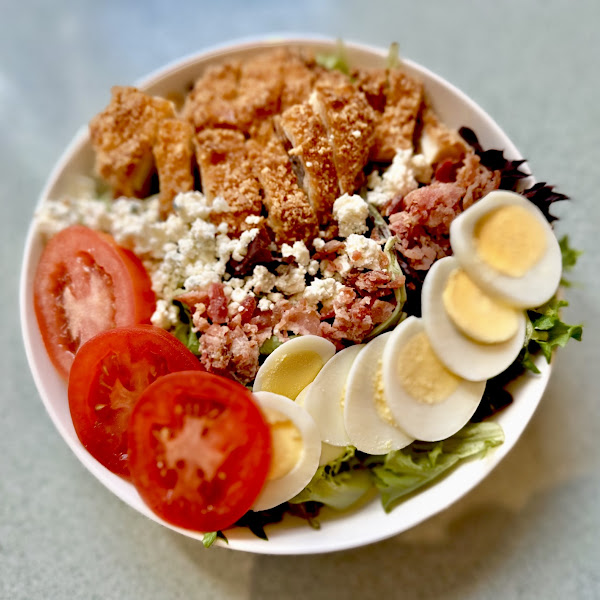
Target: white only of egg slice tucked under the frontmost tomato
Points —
{"points": [[292, 483]]}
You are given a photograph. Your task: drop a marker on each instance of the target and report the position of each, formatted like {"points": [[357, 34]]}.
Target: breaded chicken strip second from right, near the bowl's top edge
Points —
{"points": [[395, 127]]}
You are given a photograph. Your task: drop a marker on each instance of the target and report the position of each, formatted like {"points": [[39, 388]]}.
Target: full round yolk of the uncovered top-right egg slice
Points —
{"points": [[510, 239]]}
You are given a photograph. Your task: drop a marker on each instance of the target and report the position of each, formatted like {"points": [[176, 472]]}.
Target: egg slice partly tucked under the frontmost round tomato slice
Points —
{"points": [[295, 450]]}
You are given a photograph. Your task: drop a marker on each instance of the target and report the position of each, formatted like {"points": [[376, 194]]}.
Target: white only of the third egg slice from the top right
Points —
{"points": [[427, 422]]}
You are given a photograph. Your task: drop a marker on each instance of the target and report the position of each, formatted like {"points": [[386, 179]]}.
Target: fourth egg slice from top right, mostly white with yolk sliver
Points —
{"points": [[367, 416]]}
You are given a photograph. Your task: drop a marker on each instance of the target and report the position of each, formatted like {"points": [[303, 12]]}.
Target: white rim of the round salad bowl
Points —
{"points": [[29, 328]]}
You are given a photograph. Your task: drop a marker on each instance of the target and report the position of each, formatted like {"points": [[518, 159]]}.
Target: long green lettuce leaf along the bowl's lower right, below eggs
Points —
{"points": [[402, 472]]}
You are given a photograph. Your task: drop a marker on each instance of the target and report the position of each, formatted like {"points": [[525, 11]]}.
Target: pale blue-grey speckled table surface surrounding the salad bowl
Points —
{"points": [[531, 530]]}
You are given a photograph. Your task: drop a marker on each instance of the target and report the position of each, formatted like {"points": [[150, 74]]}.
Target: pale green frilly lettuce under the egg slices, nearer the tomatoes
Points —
{"points": [[338, 484]]}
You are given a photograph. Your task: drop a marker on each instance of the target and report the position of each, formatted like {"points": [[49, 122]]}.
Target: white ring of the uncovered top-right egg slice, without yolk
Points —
{"points": [[537, 286]]}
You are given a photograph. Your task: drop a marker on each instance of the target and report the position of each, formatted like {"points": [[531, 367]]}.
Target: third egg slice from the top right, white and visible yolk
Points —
{"points": [[426, 400]]}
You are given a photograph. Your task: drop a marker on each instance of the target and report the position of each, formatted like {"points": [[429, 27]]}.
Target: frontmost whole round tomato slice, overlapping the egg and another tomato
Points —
{"points": [[199, 450]]}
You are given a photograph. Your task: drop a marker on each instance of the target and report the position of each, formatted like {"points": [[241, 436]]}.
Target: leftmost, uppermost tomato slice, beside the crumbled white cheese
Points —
{"points": [[84, 284]]}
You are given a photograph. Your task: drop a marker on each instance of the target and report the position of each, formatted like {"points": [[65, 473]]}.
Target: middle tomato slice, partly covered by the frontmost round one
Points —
{"points": [[109, 373]]}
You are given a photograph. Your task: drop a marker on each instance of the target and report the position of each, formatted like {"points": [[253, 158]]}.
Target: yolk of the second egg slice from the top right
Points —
{"points": [[476, 314]]}
